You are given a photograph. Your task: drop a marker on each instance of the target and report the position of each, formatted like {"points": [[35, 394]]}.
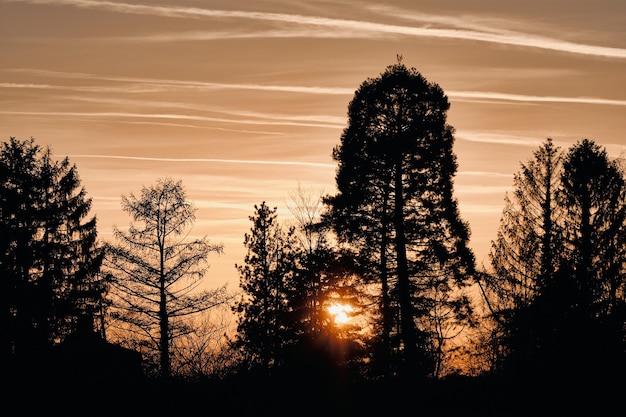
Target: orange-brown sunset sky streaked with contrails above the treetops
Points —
{"points": [[245, 100]]}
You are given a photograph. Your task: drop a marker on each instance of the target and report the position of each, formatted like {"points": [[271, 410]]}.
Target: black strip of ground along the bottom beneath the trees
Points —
{"points": [[56, 395]]}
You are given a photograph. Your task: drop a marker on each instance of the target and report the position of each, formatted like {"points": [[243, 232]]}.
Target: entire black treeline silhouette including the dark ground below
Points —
{"points": [[122, 327]]}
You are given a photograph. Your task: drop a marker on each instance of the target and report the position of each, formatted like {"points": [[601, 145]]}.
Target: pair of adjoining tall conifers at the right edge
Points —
{"points": [[558, 288]]}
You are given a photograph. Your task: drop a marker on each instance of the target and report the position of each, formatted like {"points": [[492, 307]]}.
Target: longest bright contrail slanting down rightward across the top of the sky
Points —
{"points": [[356, 27]]}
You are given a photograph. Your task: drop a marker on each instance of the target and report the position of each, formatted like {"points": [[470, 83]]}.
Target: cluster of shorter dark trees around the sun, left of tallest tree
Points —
{"points": [[290, 281]]}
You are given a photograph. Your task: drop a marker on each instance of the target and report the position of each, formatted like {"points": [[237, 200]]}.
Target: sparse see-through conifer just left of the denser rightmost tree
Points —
{"points": [[528, 248]]}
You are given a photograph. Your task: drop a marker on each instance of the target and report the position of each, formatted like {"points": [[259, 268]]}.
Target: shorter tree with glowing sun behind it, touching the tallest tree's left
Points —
{"points": [[323, 280]]}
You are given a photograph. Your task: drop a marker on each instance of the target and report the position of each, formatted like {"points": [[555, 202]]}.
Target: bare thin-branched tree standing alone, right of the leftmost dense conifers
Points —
{"points": [[155, 272]]}
